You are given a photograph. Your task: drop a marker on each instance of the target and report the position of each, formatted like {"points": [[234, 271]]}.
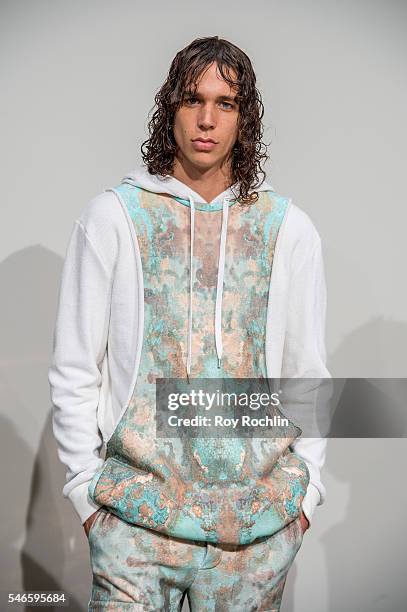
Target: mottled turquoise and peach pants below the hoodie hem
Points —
{"points": [[136, 568]]}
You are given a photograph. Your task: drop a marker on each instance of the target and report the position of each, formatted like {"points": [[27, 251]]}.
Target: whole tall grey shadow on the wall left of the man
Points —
{"points": [[44, 546]]}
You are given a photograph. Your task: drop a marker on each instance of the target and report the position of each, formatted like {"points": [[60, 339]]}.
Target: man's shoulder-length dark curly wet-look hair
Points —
{"points": [[187, 66]]}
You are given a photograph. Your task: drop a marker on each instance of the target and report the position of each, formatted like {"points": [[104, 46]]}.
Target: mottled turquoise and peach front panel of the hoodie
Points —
{"points": [[215, 490]]}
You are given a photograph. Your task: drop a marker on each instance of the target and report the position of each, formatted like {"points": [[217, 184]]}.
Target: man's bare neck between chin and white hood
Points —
{"points": [[209, 183]]}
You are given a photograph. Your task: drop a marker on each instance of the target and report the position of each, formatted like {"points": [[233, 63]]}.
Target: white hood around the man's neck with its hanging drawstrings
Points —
{"points": [[140, 177]]}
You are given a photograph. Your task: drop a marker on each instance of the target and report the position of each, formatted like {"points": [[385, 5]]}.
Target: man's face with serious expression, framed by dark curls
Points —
{"points": [[210, 114]]}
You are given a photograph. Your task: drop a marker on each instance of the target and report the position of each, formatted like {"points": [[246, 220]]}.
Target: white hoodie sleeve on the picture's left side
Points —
{"points": [[79, 345]]}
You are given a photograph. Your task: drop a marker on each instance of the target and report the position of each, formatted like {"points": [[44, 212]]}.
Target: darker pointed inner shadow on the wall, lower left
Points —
{"points": [[54, 555]]}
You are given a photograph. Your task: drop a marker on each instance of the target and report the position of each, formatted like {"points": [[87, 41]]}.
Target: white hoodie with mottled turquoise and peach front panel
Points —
{"points": [[159, 283]]}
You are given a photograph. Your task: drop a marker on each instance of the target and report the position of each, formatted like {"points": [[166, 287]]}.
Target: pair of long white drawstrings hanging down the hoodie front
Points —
{"points": [[219, 287]]}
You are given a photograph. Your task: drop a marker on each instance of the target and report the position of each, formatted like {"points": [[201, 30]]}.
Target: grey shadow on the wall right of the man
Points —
{"points": [[362, 530]]}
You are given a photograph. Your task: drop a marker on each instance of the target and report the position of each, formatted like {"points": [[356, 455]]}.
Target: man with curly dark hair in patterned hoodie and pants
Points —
{"points": [[185, 270]]}
